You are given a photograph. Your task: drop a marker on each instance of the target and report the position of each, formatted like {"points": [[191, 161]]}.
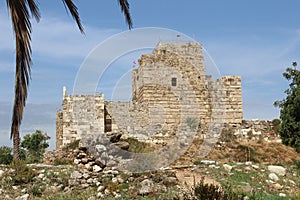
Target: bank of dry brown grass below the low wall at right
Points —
{"points": [[255, 151]]}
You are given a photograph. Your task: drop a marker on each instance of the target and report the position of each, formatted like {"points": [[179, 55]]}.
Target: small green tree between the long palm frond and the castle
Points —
{"points": [[35, 145]]}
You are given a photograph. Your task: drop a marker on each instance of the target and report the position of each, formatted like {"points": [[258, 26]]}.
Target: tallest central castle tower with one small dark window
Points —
{"points": [[172, 82]]}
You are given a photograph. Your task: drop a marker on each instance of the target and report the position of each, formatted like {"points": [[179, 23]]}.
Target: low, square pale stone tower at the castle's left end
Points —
{"points": [[82, 115]]}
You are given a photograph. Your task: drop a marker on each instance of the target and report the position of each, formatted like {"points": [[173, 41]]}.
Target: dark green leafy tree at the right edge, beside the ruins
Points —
{"points": [[290, 110]]}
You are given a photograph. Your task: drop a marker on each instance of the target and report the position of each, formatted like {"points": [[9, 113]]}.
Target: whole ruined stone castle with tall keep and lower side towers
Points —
{"points": [[170, 90]]}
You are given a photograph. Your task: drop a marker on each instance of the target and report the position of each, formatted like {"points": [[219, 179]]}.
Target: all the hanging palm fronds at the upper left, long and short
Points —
{"points": [[21, 12]]}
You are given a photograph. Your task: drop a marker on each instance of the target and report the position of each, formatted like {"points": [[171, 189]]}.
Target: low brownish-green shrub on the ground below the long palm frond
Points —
{"points": [[23, 173]]}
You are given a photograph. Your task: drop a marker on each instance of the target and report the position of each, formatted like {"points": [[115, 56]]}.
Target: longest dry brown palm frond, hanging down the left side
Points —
{"points": [[20, 17]]}
